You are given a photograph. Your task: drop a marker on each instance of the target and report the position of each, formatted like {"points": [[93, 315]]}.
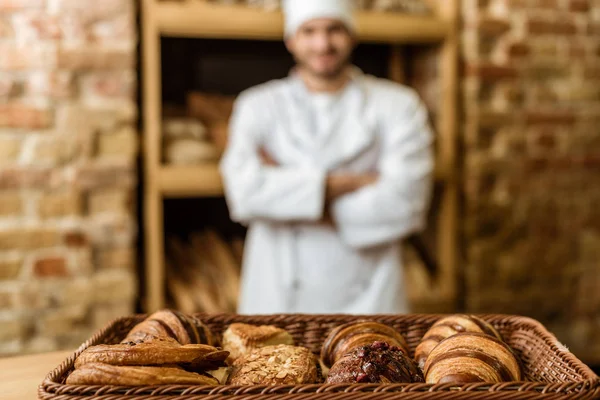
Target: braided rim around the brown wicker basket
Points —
{"points": [[589, 387]]}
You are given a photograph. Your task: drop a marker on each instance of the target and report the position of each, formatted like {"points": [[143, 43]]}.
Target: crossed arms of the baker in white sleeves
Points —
{"points": [[367, 210]]}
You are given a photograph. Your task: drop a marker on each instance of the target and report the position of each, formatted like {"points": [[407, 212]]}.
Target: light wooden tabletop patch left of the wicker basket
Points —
{"points": [[21, 376]]}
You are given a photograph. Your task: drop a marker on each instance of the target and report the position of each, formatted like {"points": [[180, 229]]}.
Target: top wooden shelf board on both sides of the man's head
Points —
{"points": [[194, 18]]}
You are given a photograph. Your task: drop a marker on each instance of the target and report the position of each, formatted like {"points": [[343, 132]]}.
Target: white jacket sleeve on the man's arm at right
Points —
{"points": [[396, 205]]}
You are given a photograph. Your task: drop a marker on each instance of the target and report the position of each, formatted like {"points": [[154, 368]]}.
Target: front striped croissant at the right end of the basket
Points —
{"points": [[472, 357]]}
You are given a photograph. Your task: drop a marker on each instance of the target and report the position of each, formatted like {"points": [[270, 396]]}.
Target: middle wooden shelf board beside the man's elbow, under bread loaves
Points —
{"points": [[190, 181]]}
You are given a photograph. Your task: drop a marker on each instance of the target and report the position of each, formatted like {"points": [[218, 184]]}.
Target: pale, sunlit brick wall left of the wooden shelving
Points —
{"points": [[68, 144]]}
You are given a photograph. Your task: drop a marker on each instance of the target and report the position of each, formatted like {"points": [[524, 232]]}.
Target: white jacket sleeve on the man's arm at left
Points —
{"points": [[254, 190]]}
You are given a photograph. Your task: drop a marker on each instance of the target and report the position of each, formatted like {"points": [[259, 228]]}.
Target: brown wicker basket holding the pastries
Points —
{"points": [[551, 371]]}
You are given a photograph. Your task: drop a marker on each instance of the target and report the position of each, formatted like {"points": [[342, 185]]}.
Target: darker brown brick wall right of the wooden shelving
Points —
{"points": [[531, 93]]}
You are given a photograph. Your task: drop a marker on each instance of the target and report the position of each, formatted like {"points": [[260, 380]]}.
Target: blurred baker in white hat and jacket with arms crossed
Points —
{"points": [[330, 168]]}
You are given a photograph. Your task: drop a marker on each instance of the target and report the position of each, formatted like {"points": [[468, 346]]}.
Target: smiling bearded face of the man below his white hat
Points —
{"points": [[322, 47]]}
